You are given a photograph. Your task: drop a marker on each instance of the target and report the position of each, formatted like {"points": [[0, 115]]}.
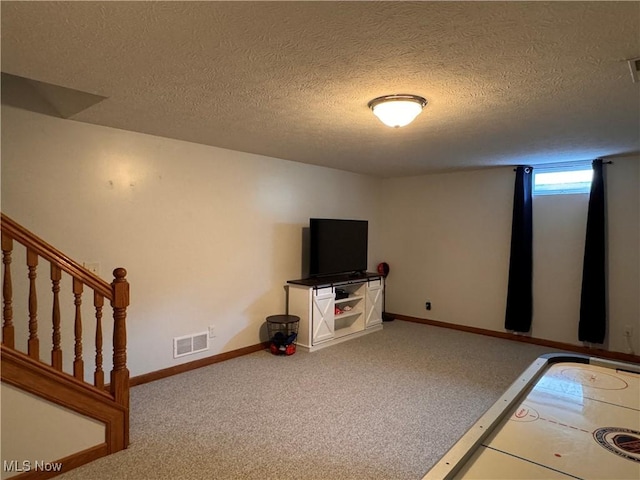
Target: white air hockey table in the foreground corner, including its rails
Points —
{"points": [[567, 416]]}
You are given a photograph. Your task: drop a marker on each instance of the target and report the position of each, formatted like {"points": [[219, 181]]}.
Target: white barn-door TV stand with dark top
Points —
{"points": [[325, 320]]}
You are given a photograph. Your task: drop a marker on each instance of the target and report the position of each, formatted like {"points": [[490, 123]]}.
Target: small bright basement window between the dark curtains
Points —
{"points": [[562, 179]]}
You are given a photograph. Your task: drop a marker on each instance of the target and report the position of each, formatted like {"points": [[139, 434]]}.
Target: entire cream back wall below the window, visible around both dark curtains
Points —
{"points": [[447, 240]]}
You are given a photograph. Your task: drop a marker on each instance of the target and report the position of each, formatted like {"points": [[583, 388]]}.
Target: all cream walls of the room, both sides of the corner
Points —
{"points": [[209, 236]]}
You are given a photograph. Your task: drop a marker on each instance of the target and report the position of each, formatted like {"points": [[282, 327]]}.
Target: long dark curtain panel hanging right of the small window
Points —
{"points": [[593, 320]]}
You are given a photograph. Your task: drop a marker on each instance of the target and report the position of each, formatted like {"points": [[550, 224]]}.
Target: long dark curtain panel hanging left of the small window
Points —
{"points": [[519, 294]]}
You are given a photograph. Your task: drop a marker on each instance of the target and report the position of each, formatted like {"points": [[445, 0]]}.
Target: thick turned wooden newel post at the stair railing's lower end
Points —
{"points": [[120, 373]]}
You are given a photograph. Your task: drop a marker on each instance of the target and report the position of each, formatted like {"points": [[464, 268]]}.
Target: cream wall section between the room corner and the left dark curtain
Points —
{"points": [[447, 241]]}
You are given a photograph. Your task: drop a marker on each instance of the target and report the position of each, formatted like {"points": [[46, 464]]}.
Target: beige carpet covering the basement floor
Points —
{"points": [[384, 406]]}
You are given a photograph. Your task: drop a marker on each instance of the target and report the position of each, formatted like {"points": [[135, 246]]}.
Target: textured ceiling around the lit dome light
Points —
{"points": [[507, 82]]}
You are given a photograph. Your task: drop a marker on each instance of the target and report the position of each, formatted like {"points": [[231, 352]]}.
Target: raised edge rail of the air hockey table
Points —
{"points": [[450, 464]]}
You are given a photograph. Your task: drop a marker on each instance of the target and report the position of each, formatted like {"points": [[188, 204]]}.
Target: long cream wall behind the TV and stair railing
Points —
{"points": [[209, 236]]}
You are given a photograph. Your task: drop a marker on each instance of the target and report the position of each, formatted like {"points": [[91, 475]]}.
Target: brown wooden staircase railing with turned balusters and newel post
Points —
{"points": [[116, 293]]}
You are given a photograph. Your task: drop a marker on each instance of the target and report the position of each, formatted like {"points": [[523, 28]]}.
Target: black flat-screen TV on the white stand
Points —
{"points": [[337, 246]]}
